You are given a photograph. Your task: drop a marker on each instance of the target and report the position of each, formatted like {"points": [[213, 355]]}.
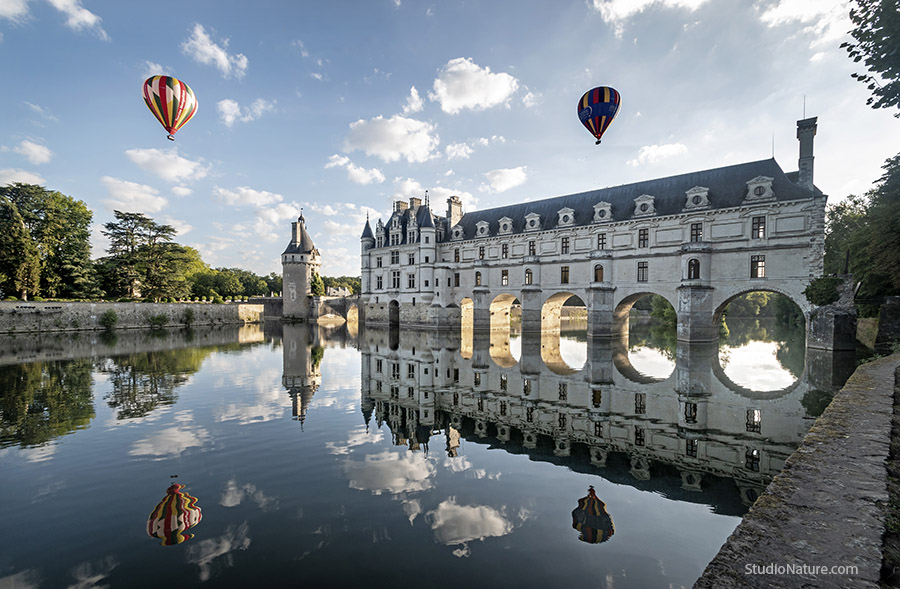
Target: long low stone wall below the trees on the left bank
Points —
{"points": [[27, 317]]}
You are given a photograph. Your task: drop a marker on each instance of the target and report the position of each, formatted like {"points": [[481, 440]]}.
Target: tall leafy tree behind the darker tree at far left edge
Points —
{"points": [[59, 227]]}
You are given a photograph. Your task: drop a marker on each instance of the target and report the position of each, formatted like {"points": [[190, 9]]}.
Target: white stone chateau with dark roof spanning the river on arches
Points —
{"points": [[698, 239]]}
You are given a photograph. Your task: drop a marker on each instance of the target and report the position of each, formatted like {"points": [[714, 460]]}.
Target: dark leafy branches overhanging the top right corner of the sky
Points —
{"points": [[876, 42]]}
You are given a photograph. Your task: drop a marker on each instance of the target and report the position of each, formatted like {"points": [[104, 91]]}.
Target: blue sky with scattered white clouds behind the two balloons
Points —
{"points": [[341, 107]]}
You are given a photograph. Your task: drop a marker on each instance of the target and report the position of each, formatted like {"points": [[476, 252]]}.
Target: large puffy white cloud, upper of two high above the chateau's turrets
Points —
{"points": [[463, 84]]}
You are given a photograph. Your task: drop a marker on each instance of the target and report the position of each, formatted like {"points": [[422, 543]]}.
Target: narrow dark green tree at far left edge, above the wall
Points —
{"points": [[20, 265]]}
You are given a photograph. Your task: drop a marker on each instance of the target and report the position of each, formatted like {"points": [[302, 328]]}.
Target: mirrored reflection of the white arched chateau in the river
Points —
{"points": [[686, 433]]}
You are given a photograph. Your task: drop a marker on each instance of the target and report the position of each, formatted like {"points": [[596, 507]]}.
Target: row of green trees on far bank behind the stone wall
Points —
{"points": [[45, 252]]}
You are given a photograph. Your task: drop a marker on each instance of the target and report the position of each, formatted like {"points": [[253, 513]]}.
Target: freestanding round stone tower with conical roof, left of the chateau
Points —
{"points": [[299, 263]]}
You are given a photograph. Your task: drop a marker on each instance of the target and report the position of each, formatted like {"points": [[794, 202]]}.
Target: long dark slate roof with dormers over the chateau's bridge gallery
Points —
{"points": [[727, 188]]}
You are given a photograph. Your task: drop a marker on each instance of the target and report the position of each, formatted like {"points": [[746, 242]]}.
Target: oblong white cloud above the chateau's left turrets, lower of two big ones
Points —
{"points": [[393, 139]]}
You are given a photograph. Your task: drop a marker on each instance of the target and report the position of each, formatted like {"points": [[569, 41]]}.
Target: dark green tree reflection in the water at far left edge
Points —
{"points": [[44, 400]]}
